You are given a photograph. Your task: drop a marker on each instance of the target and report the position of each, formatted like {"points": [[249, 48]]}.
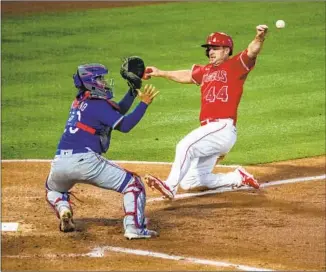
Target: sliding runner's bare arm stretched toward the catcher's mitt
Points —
{"points": [[180, 76]]}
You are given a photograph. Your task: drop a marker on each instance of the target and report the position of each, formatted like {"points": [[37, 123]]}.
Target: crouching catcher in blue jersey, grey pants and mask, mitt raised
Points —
{"points": [[92, 118]]}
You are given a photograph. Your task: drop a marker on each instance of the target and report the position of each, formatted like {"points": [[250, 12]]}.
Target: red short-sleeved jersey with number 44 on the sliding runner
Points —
{"points": [[222, 86]]}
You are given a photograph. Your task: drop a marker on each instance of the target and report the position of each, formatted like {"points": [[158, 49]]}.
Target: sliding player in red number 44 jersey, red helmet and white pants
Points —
{"points": [[221, 83]]}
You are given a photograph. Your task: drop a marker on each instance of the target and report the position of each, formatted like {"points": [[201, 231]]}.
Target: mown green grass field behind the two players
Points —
{"points": [[282, 113]]}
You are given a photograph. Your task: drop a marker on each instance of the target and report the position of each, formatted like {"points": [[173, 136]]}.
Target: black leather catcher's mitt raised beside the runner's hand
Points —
{"points": [[132, 70]]}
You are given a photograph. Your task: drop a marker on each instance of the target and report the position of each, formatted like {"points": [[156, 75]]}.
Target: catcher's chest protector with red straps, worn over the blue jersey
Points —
{"points": [[105, 132]]}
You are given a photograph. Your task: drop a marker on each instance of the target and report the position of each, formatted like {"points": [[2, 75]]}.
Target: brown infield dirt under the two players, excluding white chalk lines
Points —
{"points": [[280, 227]]}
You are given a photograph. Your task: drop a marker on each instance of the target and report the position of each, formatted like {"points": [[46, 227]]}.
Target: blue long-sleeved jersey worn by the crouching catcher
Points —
{"points": [[99, 115]]}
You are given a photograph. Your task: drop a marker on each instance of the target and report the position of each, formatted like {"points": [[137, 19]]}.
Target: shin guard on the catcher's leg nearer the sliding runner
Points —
{"points": [[134, 201]]}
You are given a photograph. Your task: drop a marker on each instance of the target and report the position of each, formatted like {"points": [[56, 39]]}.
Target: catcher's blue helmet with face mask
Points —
{"points": [[91, 77]]}
